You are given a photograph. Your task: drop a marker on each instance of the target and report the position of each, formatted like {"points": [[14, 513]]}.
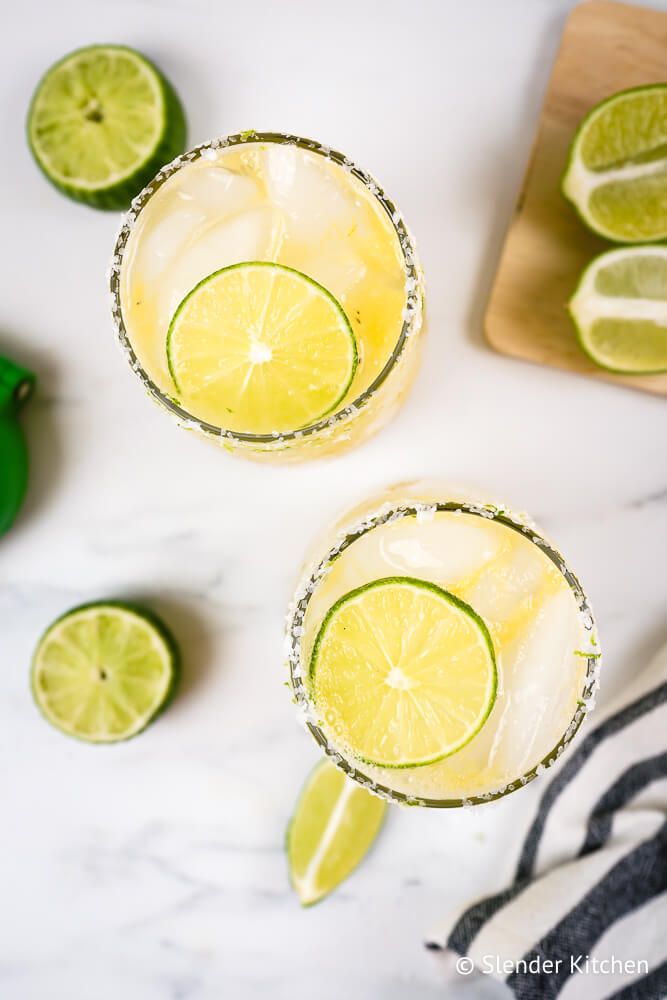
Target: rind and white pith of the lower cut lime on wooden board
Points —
{"points": [[585, 307]]}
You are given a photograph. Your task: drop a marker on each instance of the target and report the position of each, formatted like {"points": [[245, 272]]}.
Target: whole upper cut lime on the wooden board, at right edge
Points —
{"points": [[617, 170]]}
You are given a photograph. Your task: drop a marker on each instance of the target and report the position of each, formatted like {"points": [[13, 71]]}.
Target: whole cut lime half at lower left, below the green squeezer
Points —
{"points": [[103, 671]]}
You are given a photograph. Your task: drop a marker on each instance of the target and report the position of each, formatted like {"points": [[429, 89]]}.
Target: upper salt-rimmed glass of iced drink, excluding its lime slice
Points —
{"points": [[270, 197]]}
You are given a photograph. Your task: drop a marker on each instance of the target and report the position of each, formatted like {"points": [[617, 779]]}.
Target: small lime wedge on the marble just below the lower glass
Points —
{"points": [[335, 822]]}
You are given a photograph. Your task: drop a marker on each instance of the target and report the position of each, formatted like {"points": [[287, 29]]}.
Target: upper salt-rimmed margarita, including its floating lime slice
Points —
{"points": [[268, 295]]}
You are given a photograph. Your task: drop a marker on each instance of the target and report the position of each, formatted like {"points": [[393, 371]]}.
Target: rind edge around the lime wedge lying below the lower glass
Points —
{"points": [[309, 892]]}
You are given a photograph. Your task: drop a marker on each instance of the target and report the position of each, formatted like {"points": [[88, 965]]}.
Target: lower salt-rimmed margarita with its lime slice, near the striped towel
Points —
{"points": [[440, 650]]}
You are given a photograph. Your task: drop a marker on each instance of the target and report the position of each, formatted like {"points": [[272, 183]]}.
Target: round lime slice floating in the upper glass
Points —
{"points": [[259, 348]]}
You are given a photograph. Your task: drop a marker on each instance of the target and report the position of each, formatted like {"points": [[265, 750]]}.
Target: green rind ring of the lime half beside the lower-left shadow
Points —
{"points": [[150, 621]]}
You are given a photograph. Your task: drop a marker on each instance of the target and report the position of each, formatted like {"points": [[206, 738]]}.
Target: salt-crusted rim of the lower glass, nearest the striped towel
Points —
{"points": [[390, 512]]}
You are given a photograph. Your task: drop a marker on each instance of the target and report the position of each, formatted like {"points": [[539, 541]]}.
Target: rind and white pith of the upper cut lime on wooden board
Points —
{"points": [[579, 182]]}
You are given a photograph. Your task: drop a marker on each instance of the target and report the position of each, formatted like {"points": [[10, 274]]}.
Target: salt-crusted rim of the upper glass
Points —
{"points": [[412, 310]]}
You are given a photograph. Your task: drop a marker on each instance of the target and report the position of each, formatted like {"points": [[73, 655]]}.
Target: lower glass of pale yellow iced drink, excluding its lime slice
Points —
{"points": [[536, 613]]}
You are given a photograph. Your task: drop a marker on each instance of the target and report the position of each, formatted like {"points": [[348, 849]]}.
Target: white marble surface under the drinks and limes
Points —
{"points": [[155, 870]]}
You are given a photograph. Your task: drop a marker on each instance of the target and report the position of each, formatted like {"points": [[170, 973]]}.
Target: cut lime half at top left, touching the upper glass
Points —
{"points": [[102, 122]]}
